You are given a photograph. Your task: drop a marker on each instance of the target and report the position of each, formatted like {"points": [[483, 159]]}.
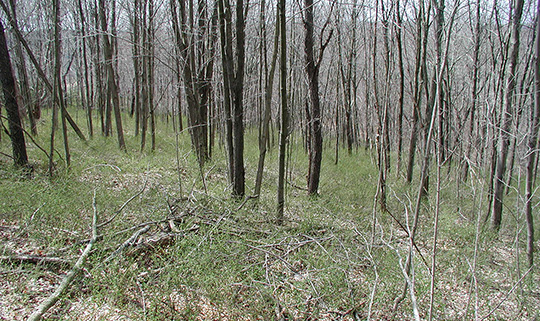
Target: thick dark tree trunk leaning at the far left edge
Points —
{"points": [[10, 101]]}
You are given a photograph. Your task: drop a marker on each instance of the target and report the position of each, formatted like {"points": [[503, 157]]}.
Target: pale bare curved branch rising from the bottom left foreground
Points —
{"points": [[53, 298]]}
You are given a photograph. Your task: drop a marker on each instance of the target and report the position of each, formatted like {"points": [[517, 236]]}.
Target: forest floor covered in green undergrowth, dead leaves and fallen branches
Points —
{"points": [[173, 245]]}
